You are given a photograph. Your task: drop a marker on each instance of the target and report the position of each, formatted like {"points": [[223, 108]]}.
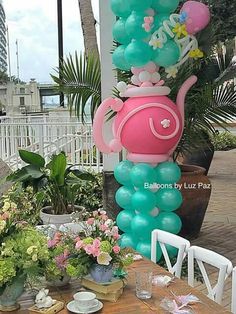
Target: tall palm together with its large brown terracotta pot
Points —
{"points": [[211, 103]]}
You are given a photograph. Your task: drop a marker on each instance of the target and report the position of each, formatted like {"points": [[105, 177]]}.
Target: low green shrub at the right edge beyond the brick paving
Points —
{"points": [[224, 141]]}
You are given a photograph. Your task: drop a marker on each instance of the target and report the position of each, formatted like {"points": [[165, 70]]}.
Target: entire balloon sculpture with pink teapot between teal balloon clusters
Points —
{"points": [[148, 124]]}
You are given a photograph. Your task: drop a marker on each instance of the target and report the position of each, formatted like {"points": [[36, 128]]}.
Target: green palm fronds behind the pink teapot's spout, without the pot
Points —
{"points": [[210, 102]]}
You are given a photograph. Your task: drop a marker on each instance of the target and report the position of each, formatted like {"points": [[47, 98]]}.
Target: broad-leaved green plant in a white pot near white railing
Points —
{"points": [[59, 182]]}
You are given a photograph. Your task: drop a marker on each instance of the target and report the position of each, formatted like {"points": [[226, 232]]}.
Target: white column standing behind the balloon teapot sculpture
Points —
{"points": [[107, 20]]}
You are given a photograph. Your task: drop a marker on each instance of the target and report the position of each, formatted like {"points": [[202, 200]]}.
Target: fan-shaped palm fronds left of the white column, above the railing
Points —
{"points": [[79, 78]]}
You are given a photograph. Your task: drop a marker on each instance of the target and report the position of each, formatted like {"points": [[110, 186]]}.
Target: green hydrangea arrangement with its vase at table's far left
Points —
{"points": [[23, 251]]}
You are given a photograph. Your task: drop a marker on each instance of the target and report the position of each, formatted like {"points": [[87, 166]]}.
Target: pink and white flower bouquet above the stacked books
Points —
{"points": [[100, 243]]}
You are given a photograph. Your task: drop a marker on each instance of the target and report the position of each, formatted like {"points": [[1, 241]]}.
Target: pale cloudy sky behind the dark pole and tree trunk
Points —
{"points": [[34, 25]]}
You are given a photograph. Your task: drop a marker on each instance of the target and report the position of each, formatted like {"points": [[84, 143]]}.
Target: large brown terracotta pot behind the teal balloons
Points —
{"points": [[196, 191]]}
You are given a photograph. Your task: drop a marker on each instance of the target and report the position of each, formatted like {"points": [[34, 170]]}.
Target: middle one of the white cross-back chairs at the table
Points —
{"points": [[214, 259]]}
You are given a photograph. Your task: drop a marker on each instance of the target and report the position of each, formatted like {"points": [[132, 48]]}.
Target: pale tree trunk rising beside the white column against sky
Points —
{"points": [[88, 27]]}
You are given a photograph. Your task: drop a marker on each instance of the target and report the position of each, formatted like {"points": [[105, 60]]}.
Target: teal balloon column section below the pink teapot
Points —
{"points": [[149, 196]]}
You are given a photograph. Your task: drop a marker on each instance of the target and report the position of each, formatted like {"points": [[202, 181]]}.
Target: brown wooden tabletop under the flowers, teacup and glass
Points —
{"points": [[129, 303]]}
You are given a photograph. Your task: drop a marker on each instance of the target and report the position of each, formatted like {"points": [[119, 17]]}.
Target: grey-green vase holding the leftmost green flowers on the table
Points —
{"points": [[11, 293]]}
